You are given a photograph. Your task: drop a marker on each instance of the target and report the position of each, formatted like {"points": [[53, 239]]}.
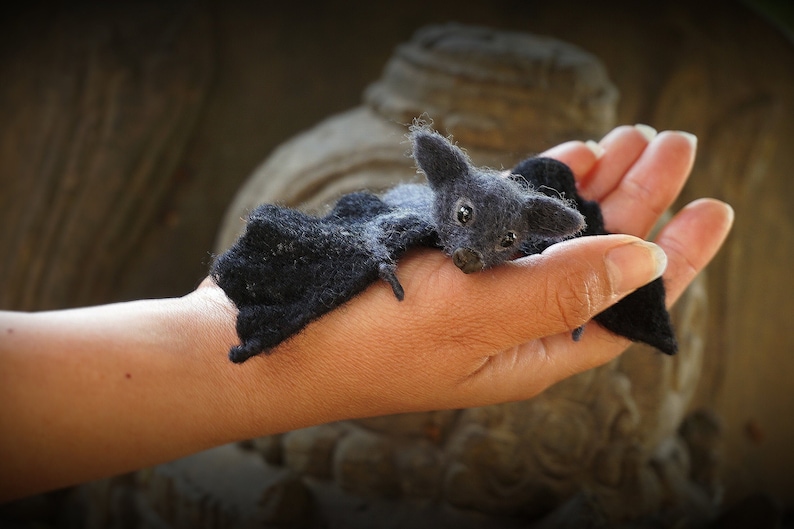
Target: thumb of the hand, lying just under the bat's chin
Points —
{"points": [[560, 289]]}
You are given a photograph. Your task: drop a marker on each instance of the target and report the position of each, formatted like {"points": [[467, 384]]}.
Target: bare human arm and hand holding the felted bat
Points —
{"points": [[92, 392]]}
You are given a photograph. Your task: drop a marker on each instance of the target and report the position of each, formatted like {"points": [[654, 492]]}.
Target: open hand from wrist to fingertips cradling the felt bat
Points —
{"points": [[503, 334]]}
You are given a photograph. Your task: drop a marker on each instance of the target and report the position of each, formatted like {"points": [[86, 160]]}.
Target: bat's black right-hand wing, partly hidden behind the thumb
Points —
{"points": [[641, 316]]}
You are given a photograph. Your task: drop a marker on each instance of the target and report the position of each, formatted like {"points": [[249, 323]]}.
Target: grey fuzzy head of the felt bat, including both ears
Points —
{"points": [[481, 216]]}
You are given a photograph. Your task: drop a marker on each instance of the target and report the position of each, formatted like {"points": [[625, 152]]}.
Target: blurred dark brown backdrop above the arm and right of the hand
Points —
{"points": [[126, 128]]}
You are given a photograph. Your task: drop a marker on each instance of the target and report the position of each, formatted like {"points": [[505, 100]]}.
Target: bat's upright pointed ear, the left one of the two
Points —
{"points": [[441, 161]]}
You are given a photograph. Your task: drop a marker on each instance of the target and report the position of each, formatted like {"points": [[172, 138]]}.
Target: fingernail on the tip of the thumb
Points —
{"points": [[633, 265]]}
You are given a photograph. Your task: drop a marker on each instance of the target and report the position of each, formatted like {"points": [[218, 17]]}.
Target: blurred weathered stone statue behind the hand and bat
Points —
{"points": [[608, 442]]}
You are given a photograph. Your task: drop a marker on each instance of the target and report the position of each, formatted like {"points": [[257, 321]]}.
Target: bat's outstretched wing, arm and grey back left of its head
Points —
{"points": [[289, 268]]}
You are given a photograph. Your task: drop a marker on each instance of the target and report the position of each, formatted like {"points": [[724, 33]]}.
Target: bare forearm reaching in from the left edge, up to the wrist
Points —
{"points": [[92, 392]]}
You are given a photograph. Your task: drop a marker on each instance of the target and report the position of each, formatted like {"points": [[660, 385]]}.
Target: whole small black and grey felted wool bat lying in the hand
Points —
{"points": [[290, 268]]}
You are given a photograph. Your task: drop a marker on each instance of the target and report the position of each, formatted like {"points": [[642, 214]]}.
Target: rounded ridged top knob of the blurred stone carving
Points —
{"points": [[496, 89]]}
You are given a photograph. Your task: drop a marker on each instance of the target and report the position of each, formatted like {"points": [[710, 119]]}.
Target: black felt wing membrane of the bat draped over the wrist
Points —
{"points": [[287, 270]]}
